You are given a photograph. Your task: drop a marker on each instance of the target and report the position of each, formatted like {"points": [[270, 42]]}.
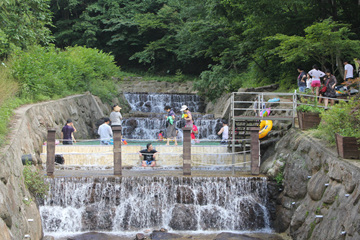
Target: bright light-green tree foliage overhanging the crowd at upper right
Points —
{"points": [[325, 42]]}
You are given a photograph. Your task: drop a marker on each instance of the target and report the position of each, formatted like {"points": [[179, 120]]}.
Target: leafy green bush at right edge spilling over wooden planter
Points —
{"points": [[343, 118]]}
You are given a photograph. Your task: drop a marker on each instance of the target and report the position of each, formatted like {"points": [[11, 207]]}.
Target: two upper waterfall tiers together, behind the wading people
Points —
{"points": [[149, 127]]}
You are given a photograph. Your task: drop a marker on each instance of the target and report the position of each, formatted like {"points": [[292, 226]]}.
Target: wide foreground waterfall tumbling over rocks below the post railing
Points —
{"points": [[135, 203]]}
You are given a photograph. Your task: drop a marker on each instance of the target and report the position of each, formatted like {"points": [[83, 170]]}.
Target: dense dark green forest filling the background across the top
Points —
{"points": [[225, 44]]}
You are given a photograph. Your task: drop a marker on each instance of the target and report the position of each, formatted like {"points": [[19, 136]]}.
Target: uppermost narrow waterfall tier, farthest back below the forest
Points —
{"points": [[156, 102]]}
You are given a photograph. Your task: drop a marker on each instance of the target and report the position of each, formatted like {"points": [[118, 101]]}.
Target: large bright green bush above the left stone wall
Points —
{"points": [[47, 73]]}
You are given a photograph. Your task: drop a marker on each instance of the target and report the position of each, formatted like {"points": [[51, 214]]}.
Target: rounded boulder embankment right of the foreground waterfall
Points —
{"points": [[320, 192]]}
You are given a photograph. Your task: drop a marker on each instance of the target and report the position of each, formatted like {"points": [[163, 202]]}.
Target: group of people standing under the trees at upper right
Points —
{"points": [[326, 88]]}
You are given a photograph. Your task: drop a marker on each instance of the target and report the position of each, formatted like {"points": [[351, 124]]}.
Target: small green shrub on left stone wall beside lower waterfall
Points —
{"points": [[35, 182]]}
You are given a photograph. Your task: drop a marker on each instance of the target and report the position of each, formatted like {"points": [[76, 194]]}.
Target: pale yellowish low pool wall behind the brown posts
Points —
{"points": [[96, 155]]}
